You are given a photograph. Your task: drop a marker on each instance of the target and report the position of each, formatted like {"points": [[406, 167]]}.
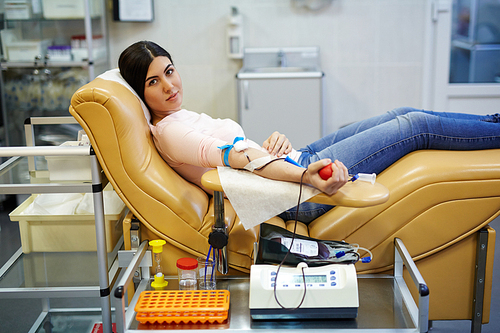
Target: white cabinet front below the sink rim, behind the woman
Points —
{"points": [[291, 106]]}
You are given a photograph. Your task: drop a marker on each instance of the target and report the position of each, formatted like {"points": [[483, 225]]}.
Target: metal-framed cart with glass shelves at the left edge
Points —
{"points": [[19, 176]]}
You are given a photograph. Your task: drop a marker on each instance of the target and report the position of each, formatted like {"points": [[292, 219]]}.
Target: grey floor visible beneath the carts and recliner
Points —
{"points": [[18, 315]]}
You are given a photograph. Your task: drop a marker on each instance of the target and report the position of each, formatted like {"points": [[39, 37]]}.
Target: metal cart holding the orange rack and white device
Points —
{"points": [[386, 304]]}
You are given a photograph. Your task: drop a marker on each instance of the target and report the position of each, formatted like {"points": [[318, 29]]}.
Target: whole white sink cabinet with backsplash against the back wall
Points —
{"points": [[280, 89]]}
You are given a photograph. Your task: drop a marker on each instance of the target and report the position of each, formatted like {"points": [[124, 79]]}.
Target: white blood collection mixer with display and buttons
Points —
{"points": [[331, 291]]}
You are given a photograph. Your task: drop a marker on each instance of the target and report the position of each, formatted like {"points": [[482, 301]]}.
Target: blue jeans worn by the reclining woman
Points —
{"points": [[372, 145]]}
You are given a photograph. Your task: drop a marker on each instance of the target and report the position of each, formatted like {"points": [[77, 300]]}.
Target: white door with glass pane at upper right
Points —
{"points": [[462, 56]]}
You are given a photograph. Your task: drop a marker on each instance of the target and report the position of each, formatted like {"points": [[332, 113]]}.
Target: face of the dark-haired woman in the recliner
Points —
{"points": [[163, 87]]}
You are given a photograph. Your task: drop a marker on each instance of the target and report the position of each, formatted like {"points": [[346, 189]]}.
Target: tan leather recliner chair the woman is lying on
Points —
{"points": [[438, 202]]}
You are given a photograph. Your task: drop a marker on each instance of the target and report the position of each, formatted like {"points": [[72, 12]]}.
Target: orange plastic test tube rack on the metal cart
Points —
{"points": [[182, 306]]}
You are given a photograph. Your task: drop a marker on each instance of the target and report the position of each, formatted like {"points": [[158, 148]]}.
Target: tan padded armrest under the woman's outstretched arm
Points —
{"points": [[353, 194]]}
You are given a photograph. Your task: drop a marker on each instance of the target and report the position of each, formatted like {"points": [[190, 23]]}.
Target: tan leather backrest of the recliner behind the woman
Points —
{"points": [[113, 119]]}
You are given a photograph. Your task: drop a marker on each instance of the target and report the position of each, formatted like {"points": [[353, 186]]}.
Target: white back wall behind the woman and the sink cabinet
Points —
{"points": [[371, 50]]}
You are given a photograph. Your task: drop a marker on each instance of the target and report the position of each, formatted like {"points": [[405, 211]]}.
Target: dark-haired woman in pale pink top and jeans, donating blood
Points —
{"points": [[192, 143]]}
